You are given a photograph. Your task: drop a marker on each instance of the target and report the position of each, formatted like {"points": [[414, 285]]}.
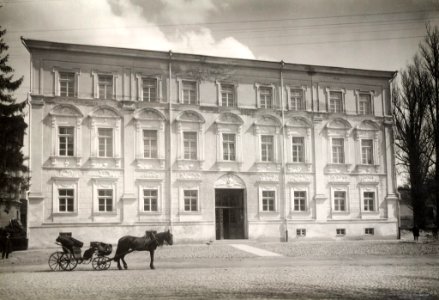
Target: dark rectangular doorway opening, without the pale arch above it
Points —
{"points": [[229, 214]]}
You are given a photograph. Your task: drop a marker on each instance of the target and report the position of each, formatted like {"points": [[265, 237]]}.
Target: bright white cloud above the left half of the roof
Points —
{"points": [[123, 24]]}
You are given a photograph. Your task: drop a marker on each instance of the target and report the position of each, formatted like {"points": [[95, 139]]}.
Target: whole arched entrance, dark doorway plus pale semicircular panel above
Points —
{"points": [[230, 212]]}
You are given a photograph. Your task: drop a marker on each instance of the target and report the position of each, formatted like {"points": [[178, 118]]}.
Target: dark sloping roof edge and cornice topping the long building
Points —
{"points": [[32, 45]]}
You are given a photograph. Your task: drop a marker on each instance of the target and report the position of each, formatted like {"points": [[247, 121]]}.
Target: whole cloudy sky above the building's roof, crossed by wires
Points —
{"points": [[368, 34]]}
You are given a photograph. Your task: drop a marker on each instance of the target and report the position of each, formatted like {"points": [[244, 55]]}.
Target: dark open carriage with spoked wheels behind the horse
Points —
{"points": [[71, 256]]}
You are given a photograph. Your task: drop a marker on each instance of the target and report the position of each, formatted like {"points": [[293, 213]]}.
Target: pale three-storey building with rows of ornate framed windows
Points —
{"points": [[122, 141]]}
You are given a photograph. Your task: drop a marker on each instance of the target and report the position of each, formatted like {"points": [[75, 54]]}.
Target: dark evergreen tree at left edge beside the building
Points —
{"points": [[13, 172]]}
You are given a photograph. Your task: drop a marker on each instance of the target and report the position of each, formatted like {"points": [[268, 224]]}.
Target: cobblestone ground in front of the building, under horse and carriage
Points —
{"points": [[218, 271]]}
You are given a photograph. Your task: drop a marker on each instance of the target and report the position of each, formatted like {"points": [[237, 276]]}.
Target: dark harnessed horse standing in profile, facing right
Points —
{"points": [[149, 242]]}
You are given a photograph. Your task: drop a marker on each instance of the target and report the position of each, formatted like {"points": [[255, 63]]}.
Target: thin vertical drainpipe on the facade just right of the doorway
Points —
{"points": [[284, 193]]}
